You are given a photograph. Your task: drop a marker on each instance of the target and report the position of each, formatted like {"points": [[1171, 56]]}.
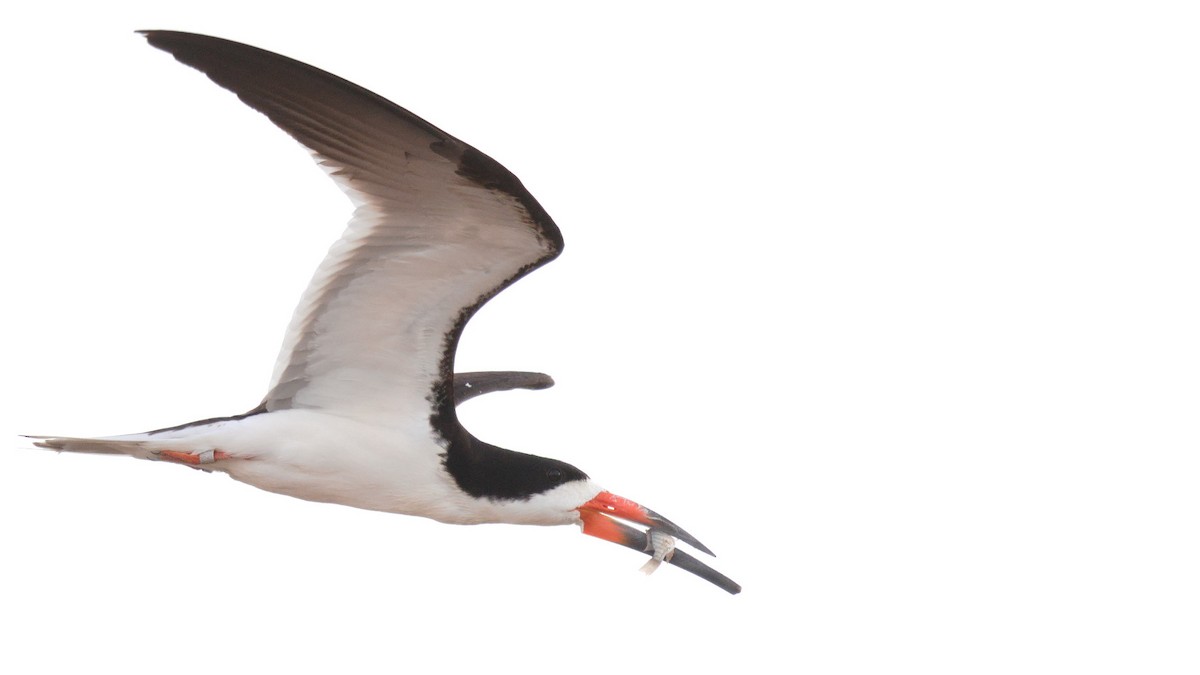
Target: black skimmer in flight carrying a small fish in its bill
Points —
{"points": [[362, 404]]}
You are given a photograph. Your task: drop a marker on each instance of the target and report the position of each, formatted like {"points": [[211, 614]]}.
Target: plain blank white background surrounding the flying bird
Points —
{"points": [[893, 304]]}
